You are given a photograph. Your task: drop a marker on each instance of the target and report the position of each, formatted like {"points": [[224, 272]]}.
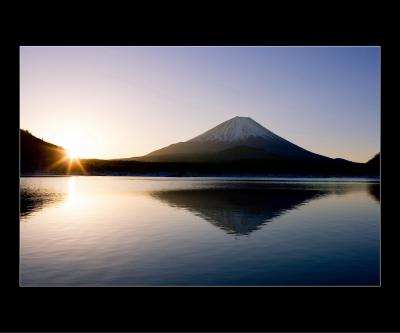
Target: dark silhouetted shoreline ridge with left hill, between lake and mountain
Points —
{"points": [[39, 157]]}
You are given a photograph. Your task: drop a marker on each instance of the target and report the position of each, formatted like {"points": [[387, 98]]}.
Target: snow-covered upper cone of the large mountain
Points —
{"points": [[235, 129]]}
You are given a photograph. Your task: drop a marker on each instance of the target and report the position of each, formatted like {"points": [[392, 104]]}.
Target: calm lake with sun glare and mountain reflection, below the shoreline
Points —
{"points": [[156, 231]]}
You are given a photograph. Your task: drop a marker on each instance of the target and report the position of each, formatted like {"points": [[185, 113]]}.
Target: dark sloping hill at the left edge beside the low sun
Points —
{"points": [[39, 155]]}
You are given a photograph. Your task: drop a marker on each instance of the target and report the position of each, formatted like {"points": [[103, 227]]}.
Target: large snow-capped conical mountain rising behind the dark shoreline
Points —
{"points": [[237, 139]]}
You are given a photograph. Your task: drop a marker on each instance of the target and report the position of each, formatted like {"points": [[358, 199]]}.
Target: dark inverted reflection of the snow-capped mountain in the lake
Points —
{"points": [[241, 210]]}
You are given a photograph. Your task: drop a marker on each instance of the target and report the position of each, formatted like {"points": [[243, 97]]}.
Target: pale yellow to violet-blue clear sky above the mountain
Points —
{"points": [[112, 102]]}
